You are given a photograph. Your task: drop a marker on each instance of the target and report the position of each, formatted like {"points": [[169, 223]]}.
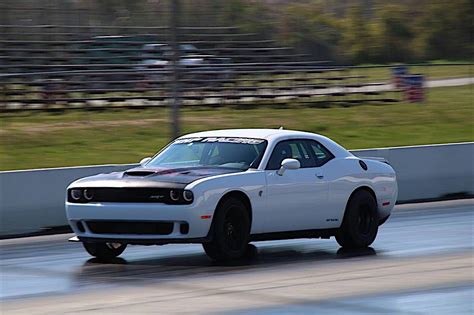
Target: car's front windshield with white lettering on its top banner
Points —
{"points": [[237, 153]]}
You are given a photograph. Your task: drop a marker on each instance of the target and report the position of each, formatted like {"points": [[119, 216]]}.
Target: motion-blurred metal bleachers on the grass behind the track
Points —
{"points": [[56, 67]]}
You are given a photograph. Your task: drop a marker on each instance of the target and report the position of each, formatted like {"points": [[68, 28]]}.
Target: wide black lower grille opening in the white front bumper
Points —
{"points": [[130, 227]]}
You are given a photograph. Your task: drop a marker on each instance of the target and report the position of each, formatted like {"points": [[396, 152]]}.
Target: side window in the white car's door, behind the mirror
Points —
{"points": [[290, 149]]}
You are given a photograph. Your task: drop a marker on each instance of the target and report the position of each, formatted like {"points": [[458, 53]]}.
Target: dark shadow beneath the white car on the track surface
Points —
{"points": [[156, 269]]}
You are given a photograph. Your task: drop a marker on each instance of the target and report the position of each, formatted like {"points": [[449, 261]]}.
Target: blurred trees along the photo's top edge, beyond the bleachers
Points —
{"points": [[352, 32]]}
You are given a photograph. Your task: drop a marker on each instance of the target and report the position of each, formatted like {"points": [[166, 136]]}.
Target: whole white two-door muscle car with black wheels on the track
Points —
{"points": [[227, 188]]}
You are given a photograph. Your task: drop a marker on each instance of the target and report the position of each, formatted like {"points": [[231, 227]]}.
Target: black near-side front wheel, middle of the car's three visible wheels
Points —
{"points": [[230, 231]]}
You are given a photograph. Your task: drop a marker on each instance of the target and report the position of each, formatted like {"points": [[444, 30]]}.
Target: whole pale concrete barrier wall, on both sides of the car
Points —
{"points": [[32, 200]]}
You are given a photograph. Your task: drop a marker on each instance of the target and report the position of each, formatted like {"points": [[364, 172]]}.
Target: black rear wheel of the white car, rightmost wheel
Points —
{"points": [[360, 225]]}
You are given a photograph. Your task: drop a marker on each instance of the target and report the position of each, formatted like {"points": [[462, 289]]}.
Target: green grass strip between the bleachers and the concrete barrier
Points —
{"points": [[37, 140]]}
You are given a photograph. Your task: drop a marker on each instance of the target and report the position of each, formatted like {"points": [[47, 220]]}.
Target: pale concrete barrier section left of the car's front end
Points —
{"points": [[32, 200]]}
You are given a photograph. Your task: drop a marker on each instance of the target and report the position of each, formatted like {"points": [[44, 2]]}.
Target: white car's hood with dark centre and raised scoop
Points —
{"points": [[152, 177]]}
